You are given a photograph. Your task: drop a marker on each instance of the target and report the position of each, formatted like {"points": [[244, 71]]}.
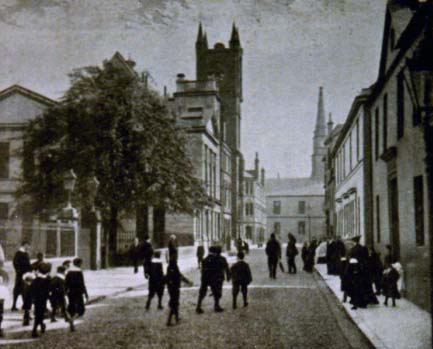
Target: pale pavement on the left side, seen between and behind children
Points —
{"points": [[101, 284]]}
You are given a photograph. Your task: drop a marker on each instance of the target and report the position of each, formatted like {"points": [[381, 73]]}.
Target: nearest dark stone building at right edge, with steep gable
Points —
{"points": [[399, 177]]}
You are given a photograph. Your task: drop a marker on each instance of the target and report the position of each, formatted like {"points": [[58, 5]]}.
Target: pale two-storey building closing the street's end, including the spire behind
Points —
{"points": [[296, 204]]}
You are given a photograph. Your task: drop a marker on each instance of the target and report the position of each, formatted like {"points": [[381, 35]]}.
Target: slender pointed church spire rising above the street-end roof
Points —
{"points": [[319, 149]]}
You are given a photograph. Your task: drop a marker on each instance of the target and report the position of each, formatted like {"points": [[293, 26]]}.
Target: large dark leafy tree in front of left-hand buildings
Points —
{"points": [[109, 124]]}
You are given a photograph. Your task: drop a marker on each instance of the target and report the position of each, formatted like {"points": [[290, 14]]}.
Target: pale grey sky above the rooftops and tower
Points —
{"points": [[291, 47]]}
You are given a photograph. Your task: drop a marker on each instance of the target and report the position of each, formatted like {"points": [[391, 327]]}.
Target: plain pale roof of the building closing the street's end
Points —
{"points": [[294, 186]]}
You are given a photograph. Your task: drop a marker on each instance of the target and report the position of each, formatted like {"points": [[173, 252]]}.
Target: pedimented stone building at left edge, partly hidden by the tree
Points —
{"points": [[18, 106]]}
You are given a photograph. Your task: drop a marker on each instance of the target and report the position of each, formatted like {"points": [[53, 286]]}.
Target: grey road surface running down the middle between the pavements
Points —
{"points": [[293, 311]]}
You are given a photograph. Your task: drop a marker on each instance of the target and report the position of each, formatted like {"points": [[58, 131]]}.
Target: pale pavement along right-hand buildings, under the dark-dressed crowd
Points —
{"points": [[405, 326]]}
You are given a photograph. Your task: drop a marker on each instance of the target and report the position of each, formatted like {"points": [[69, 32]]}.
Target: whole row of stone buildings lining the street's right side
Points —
{"points": [[393, 156]]}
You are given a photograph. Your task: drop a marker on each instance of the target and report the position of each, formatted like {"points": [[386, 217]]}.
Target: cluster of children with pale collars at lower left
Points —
{"points": [[40, 287]]}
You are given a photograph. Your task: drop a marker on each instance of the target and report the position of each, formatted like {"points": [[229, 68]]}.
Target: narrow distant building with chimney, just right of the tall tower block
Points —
{"points": [[254, 221]]}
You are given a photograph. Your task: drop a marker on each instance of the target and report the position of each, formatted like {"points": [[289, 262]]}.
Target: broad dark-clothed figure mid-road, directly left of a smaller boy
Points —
{"points": [[214, 271]]}
